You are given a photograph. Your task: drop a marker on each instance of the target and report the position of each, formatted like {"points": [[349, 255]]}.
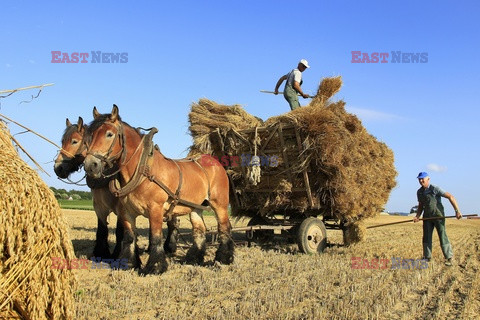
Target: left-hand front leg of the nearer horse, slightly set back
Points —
{"points": [[129, 252]]}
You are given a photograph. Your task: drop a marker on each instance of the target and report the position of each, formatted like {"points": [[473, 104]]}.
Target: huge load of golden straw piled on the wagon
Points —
{"points": [[351, 173]]}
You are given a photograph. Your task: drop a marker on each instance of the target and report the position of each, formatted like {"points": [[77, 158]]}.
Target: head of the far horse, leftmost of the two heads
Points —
{"points": [[73, 151]]}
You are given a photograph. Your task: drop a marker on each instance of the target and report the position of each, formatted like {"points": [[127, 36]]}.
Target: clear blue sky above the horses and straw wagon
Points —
{"points": [[226, 51]]}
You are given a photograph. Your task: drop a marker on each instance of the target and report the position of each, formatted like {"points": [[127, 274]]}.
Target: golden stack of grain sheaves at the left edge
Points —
{"points": [[32, 231]]}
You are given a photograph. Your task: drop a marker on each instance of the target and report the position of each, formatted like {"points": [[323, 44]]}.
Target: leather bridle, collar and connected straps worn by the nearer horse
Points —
{"points": [[143, 171]]}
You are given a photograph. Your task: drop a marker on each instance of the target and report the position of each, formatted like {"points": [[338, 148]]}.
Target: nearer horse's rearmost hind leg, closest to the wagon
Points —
{"points": [[225, 249]]}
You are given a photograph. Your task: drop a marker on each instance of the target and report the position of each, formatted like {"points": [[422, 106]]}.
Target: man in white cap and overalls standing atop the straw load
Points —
{"points": [[292, 86]]}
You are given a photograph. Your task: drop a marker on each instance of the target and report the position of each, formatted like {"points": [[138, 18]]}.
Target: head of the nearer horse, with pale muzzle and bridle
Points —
{"points": [[106, 143]]}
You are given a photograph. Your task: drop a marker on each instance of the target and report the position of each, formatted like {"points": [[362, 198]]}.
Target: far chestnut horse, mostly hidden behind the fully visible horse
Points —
{"points": [[71, 159]]}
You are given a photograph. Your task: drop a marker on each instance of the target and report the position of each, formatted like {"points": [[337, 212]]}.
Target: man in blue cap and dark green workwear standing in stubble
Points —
{"points": [[429, 201]]}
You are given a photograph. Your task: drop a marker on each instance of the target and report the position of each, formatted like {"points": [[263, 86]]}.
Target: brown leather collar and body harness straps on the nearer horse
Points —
{"points": [[143, 171]]}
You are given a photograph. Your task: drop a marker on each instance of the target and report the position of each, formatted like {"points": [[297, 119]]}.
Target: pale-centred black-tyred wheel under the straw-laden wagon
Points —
{"points": [[312, 236]]}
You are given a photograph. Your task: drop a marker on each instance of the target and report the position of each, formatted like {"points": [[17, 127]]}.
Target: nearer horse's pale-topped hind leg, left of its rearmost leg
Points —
{"points": [[196, 253]]}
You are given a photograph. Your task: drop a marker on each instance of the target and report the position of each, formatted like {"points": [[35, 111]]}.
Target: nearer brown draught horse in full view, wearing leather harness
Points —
{"points": [[156, 187]]}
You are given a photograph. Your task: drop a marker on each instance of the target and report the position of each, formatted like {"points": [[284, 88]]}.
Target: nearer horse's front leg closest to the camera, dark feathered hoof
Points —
{"points": [[157, 261]]}
